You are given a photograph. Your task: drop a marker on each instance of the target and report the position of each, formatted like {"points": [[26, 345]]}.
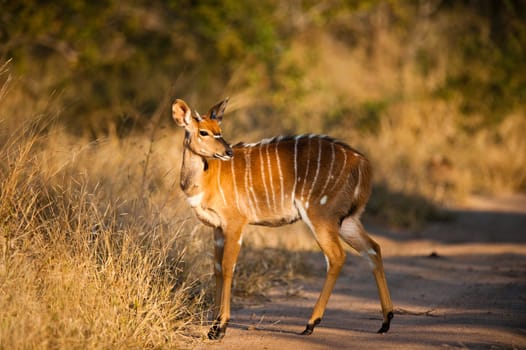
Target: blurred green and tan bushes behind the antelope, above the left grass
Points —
{"points": [[433, 91]]}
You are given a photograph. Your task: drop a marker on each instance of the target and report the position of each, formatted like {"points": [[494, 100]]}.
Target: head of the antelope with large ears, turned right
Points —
{"points": [[203, 133]]}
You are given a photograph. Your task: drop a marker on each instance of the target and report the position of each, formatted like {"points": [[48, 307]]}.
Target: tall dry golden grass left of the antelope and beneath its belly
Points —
{"points": [[98, 247]]}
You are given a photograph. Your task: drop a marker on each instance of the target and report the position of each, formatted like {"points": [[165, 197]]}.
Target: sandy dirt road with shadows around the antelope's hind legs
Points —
{"points": [[459, 284]]}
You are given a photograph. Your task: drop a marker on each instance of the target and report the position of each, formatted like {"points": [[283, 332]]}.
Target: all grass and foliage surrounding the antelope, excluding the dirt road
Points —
{"points": [[93, 225]]}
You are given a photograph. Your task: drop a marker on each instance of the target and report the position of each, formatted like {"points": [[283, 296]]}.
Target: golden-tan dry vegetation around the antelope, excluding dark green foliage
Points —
{"points": [[98, 248]]}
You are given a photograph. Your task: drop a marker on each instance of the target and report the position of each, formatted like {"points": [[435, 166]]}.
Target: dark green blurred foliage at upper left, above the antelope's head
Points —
{"points": [[114, 61]]}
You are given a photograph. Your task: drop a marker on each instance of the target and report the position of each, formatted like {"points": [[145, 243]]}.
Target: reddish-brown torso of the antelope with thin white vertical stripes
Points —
{"points": [[273, 181]]}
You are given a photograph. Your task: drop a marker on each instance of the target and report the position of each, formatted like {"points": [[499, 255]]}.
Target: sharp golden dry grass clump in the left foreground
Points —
{"points": [[84, 268]]}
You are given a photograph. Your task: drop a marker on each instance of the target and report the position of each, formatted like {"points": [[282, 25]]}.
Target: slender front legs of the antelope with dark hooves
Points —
{"points": [[224, 273]]}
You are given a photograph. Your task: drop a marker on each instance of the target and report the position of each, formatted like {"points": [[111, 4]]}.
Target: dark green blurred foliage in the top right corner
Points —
{"points": [[489, 74]]}
